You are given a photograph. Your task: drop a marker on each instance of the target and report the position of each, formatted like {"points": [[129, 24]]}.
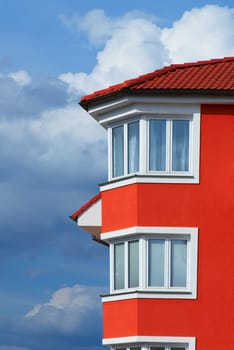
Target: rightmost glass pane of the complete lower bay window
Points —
{"points": [[178, 263]]}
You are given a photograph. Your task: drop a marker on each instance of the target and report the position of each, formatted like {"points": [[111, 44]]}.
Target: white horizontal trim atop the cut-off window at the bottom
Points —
{"points": [[190, 342]]}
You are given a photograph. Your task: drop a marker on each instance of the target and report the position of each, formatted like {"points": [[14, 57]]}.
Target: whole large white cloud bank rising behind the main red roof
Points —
{"points": [[136, 45]]}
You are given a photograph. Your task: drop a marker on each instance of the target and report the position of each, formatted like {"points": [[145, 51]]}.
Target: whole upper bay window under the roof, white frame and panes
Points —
{"points": [[160, 148]]}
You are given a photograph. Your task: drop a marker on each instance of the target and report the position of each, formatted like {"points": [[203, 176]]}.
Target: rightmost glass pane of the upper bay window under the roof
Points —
{"points": [[180, 145]]}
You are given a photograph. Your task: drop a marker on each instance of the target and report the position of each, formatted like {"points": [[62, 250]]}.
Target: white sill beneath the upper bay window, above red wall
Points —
{"points": [[176, 178]]}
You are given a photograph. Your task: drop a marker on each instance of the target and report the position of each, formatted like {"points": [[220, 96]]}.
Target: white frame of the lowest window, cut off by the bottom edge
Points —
{"points": [[146, 342]]}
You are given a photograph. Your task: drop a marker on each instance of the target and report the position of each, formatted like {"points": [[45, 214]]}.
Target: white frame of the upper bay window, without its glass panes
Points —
{"points": [[167, 176]]}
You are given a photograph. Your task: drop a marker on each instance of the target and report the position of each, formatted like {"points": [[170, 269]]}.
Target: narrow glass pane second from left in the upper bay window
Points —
{"points": [[133, 147]]}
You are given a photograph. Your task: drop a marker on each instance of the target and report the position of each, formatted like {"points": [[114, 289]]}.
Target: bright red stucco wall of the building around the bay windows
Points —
{"points": [[208, 206]]}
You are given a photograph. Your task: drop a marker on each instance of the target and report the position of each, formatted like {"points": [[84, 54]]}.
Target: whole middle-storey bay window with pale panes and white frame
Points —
{"points": [[150, 259]]}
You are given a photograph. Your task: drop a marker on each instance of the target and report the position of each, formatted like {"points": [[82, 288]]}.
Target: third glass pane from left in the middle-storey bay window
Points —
{"points": [[156, 262]]}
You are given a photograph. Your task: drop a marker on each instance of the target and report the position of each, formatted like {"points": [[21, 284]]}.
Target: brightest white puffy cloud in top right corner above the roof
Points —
{"points": [[201, 33]]}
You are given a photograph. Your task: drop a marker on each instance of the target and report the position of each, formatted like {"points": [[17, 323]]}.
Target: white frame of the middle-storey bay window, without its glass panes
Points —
{"points": [[143, 234]]}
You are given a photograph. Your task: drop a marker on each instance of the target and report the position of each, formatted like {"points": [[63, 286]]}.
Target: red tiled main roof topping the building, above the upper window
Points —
{"points": [[210, 75]]}
